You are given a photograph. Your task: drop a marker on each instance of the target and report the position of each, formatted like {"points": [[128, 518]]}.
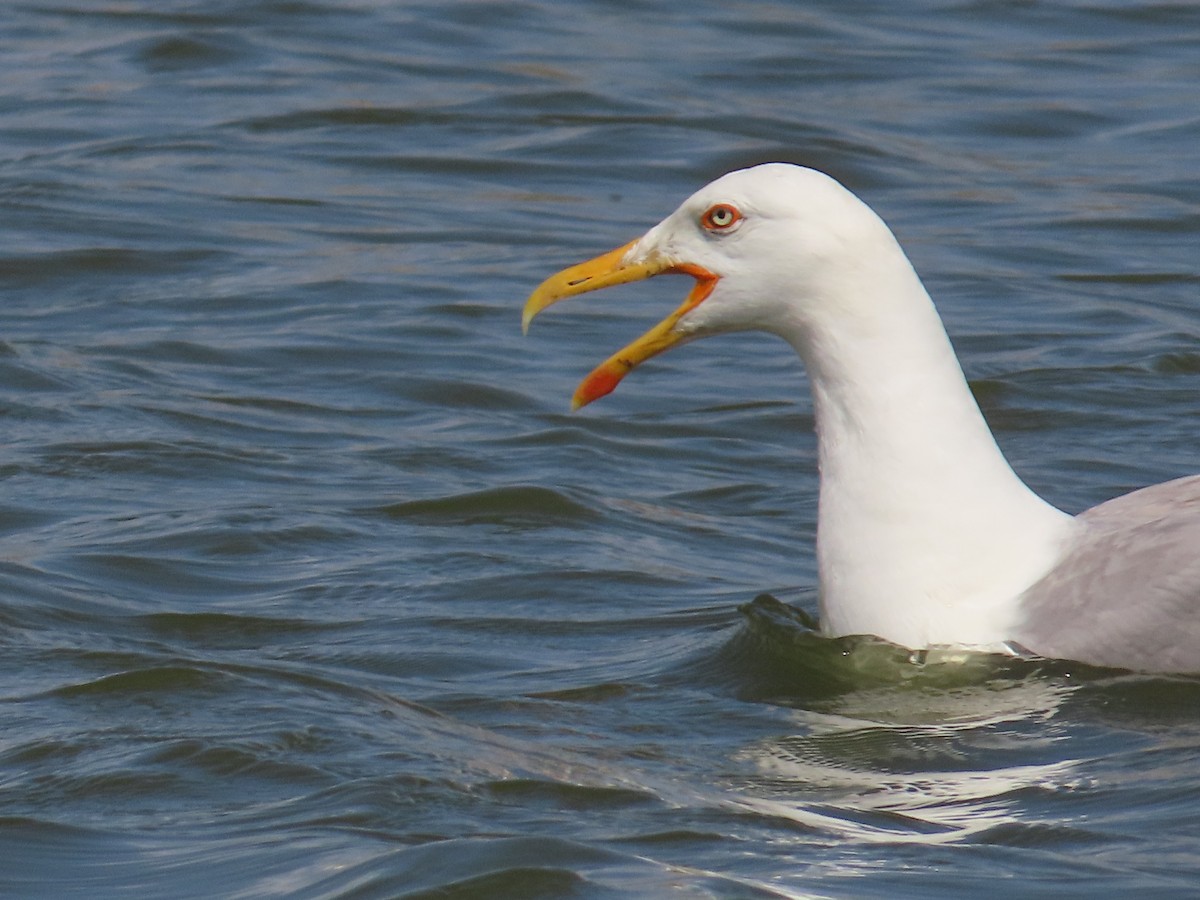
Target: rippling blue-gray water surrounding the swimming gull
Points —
{"points": [[314, 589]]}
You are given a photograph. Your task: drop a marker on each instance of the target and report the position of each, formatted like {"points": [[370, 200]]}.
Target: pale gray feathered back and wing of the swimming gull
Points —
{"points": [[1127, 593]]}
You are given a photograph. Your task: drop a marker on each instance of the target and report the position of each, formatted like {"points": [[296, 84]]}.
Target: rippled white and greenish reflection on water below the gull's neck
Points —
{"points": [[937, 752]]}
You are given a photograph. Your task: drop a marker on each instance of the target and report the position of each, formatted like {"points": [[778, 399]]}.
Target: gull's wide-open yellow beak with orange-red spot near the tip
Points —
{"points": [[604, 272]]}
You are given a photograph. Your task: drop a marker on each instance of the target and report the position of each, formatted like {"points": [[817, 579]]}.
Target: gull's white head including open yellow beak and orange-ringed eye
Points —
{"points": [[775, 248]]}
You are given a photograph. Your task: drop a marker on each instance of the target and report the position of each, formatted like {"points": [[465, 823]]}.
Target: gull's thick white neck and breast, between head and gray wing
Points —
{"points": [[925, 533]]}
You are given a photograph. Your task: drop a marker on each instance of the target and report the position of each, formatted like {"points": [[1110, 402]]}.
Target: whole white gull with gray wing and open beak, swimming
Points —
{"points": [[926, 536]]}
